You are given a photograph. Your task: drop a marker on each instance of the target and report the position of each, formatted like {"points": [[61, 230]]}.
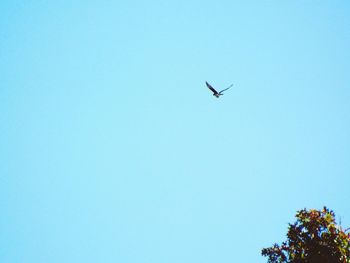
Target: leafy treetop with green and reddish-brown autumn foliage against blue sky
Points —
{"points": [[314, 238]]}
